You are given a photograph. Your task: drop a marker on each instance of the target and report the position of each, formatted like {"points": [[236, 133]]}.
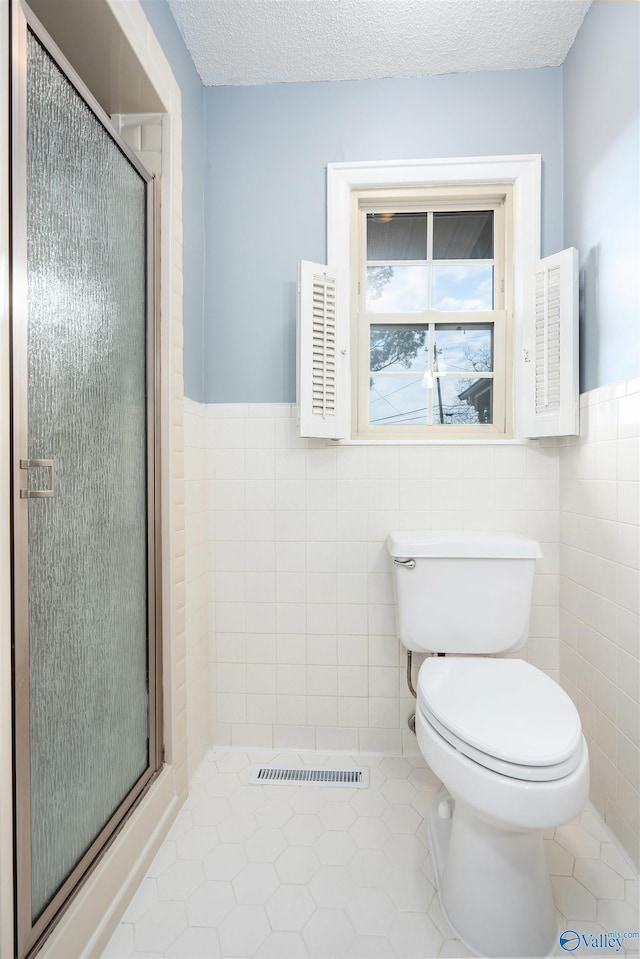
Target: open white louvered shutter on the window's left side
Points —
{"points": [[322, 400]]}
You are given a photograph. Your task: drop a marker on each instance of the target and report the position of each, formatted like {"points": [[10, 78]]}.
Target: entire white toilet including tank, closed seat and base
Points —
{"points": [[505, 739]]}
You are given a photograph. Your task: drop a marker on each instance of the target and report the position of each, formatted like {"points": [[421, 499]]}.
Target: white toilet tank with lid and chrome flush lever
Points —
{"points": [[462, 592]]}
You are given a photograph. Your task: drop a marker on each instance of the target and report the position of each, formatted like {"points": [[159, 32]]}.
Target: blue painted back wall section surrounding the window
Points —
{"points": [[267, 148]]}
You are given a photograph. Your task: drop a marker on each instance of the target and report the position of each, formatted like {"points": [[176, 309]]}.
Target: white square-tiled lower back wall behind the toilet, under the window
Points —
{"points": [[303, 652]]}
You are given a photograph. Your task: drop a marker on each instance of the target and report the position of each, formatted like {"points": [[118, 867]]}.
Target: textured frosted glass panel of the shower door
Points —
{"points": [[86, 406]]}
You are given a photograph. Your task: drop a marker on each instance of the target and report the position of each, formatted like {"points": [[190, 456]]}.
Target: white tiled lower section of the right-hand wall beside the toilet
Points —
{"points": [[600, 597]]}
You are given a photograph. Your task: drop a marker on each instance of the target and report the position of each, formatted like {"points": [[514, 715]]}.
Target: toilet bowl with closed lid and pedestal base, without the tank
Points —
{"points": [[489, 856]]}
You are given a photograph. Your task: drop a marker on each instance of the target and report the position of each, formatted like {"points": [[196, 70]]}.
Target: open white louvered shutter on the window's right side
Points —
{"points": [[550, 381]]}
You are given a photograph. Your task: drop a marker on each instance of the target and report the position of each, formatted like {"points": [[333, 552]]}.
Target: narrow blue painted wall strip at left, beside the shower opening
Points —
{"points": [[164, 26]]}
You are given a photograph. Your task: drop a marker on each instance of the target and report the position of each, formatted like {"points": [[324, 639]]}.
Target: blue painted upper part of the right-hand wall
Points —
{"points": [[601, 102]]}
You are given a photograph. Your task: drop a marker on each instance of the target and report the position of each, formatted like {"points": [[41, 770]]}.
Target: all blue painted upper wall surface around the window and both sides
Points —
{"points": [[254, 184]]}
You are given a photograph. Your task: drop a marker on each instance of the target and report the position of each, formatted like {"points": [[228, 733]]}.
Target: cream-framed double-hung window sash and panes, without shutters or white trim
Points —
{"points": [[430, 324]]}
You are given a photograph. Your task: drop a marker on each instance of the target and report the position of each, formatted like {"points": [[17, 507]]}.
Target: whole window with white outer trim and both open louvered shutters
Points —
{"points": [[435, 319]]}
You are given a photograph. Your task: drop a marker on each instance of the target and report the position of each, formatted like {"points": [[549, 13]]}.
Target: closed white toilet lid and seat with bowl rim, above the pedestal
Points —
{"points": [[504, 736]]}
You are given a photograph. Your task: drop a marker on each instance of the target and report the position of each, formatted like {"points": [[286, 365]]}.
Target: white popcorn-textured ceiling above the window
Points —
{"points": [[235, 42]]}
